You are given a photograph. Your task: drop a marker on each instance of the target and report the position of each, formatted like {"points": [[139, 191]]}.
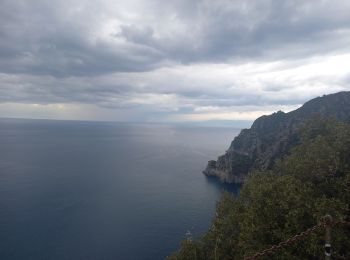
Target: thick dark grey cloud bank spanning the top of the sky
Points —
{"points": [[53, 38]]}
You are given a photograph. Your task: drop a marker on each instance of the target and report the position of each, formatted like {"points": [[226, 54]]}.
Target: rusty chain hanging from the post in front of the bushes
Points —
{"points": [[297, 238]]}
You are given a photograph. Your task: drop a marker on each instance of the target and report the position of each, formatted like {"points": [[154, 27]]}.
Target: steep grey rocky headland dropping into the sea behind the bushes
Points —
{"points": [[271, 137]]}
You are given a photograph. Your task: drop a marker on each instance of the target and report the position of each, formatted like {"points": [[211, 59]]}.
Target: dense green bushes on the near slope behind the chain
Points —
{"points": [[310, 182]]}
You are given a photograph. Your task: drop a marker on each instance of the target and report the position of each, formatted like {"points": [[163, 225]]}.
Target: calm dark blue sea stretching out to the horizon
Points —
{"points": [[82, 190]]}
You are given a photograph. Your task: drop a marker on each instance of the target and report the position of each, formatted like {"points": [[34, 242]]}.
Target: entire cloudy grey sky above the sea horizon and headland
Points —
{"points": [[181, 61]]}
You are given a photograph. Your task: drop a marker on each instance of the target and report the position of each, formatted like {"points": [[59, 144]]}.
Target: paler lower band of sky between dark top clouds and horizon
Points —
{"points": [[185, 93]]}
